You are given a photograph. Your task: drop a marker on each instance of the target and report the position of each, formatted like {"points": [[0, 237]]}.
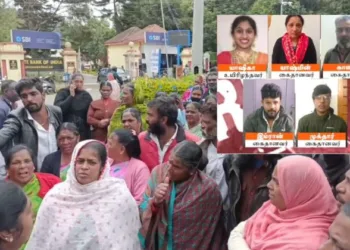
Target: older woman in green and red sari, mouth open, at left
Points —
{"points": [[20, 165]]}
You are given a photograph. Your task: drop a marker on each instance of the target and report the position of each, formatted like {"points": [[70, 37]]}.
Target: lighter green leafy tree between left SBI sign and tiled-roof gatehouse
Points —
{"points": [[89, 37]]}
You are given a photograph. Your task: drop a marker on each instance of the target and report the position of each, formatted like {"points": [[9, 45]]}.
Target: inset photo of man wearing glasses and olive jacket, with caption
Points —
{"points": [[321, 113]]}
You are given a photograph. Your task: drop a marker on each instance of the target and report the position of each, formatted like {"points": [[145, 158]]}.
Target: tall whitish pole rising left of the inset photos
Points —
{"points": [[197, 36]]}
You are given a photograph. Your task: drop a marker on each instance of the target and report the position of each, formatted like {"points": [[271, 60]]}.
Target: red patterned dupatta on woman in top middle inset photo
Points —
{"points": [[295, 56]]}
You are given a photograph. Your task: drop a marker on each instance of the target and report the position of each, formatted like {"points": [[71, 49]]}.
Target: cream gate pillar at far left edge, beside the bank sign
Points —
{"points": [[12, 61]]}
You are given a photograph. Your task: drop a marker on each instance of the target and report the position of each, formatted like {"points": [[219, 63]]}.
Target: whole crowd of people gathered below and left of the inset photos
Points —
{"points": [[74, 182]]}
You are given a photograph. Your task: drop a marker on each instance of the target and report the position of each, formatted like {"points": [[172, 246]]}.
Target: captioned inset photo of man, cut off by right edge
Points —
{"points": [[335, 43]]}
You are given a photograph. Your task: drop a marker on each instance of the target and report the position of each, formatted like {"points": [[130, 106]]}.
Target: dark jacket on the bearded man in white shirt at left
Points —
{"points": [[18, 129]]}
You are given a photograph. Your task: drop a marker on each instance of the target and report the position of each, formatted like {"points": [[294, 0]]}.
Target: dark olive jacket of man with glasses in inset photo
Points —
{"points": [[313, 123]]}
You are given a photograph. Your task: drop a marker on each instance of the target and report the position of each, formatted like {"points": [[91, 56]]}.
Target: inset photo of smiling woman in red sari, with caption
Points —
{"points": [[242, 40]]}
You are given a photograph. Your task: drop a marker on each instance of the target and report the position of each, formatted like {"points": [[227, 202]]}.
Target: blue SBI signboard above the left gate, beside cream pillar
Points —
{"points": [[37, 40]]}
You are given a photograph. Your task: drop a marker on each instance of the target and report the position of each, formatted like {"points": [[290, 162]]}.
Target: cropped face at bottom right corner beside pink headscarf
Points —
{"points": [[339, 231]]}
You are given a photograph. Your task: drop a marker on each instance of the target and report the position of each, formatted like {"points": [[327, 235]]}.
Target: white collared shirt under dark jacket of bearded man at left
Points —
{"points": [[47, 142]]}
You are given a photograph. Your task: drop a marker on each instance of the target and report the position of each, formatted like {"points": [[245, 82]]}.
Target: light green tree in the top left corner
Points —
{"points": [[8, 21]]}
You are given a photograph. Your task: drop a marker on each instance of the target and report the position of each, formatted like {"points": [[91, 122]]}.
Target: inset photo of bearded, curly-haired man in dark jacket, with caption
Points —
{"points": [[268, 109]]}
